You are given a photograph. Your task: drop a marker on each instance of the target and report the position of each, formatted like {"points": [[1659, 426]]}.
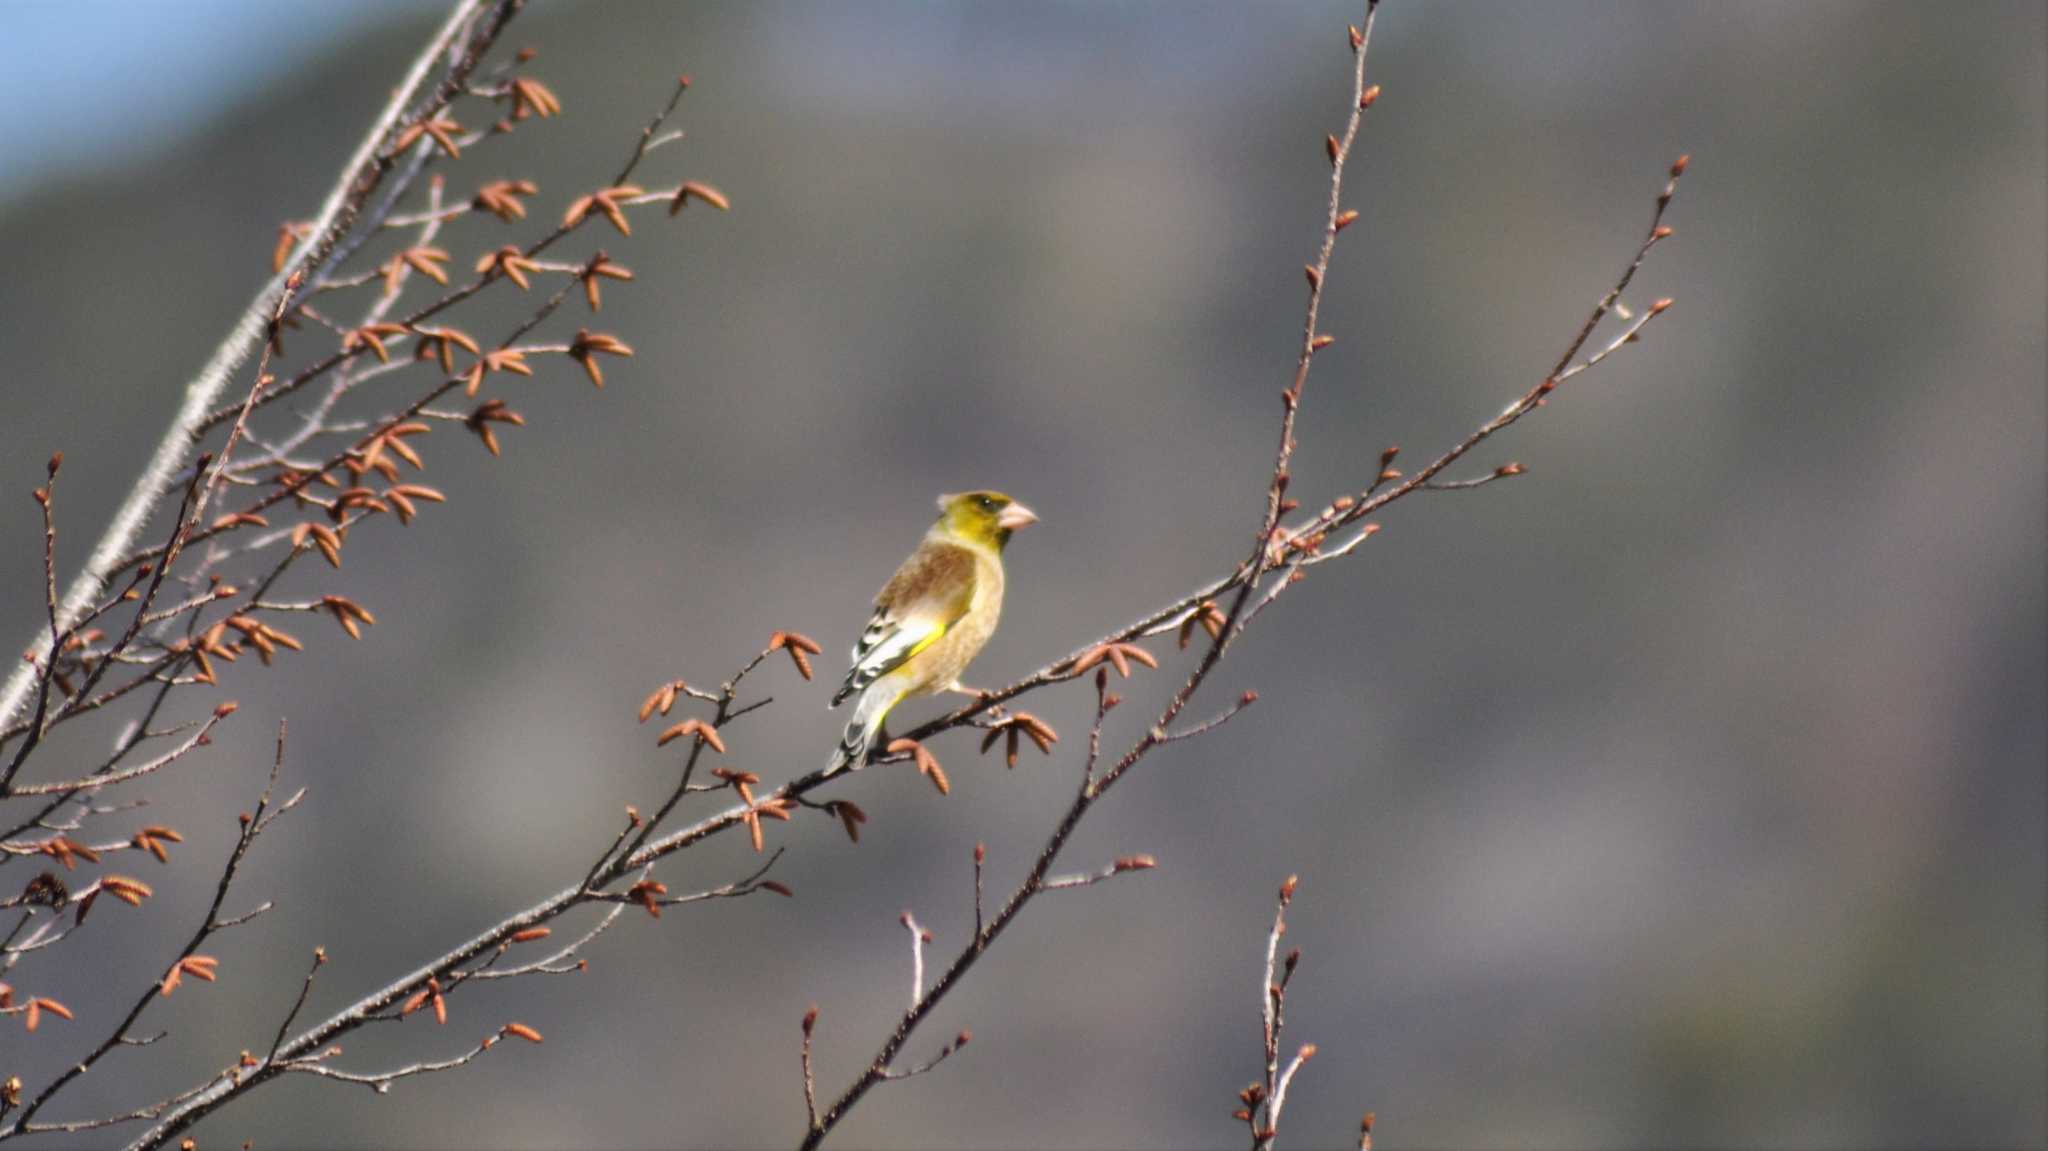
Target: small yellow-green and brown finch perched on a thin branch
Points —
{"points": [[933, 617]]}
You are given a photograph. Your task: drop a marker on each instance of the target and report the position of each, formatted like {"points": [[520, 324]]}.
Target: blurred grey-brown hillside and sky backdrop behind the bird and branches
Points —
{"points": [[1687, 792]]}
